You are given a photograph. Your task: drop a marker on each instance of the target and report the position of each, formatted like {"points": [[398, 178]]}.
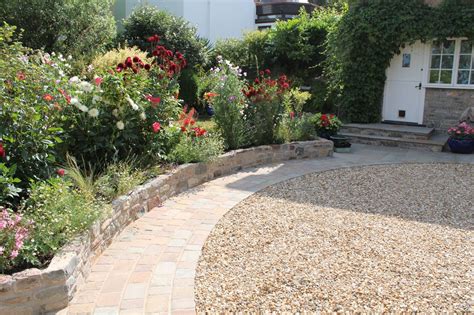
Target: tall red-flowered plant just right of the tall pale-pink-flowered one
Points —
{"points": [[265, 106]]}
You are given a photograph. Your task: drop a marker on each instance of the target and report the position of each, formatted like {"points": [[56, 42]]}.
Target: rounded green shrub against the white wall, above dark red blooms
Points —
{"points": [[175, 33]]}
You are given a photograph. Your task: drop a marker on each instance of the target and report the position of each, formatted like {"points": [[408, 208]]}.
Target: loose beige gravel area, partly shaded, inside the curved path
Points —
{"points": [[379, 238]]}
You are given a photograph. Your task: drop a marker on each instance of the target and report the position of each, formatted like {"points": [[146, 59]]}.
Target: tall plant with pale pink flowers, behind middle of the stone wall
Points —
{"points": [[228, 103]]}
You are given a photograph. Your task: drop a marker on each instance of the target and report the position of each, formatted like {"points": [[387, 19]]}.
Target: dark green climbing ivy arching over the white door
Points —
{"points": [[360, 49]]}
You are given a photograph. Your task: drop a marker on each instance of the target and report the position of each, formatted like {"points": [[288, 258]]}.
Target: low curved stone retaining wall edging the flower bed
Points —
{"points": [[35, 291]]}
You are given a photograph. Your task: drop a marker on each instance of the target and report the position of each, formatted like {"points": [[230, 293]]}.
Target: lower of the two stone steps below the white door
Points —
{"points": [[433, 145]]}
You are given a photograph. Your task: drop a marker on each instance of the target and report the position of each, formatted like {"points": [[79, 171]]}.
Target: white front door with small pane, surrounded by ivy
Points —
{"points": [[404, 94]]}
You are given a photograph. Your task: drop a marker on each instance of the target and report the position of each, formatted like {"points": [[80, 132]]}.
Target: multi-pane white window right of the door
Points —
{"points": [[451, 63]]}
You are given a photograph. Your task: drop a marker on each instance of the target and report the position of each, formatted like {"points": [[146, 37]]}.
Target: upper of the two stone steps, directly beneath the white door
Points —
{"points": [[388, 130]]}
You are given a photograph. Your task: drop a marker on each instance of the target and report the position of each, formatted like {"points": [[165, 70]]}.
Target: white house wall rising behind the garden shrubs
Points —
{"points": [[214, 19]]}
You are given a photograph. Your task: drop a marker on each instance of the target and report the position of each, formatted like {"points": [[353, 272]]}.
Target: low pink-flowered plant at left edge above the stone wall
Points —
{"points": [[14, 231]]}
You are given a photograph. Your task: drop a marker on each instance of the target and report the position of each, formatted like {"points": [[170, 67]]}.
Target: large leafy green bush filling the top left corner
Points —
{"points": [[68, 26]]}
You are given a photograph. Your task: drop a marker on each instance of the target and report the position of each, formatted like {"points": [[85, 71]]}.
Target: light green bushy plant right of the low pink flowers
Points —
{"points": [[59, 213]]}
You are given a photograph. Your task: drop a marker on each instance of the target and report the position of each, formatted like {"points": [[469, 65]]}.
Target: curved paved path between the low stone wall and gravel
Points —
{"points": [[150, 266]]}
